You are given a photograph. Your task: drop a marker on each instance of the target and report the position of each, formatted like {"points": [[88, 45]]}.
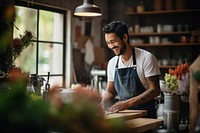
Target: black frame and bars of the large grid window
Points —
{"points": [[65, 13]]}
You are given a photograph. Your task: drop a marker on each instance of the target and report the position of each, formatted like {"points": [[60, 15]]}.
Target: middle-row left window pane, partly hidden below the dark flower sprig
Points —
{"points": [[27, 59]]}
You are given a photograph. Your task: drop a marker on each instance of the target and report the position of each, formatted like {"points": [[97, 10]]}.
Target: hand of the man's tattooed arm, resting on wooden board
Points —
{"points": [[119, 106]]}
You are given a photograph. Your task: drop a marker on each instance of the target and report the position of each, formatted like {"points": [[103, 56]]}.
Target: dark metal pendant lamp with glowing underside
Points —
{"points": [[87, 9]]}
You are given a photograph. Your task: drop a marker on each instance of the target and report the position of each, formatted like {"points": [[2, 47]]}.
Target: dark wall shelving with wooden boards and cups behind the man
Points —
{"points": [[172, 48]]}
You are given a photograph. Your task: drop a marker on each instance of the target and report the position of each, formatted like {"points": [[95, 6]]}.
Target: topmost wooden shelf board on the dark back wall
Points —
{"points": [[163, 12]]}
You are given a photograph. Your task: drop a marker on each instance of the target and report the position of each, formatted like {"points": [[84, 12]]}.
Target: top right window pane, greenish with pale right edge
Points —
{"points": [[50, 26]]}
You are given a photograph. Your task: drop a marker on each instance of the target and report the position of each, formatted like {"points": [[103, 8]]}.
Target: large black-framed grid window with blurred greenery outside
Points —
{"points": [[47, 53]]}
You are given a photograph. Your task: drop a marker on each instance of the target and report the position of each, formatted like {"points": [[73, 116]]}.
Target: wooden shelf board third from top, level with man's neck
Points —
{"points": [[160, 45]]}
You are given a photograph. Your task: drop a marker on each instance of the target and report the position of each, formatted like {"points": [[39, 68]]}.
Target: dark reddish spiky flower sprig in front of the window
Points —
{"points": [[17, 46]]}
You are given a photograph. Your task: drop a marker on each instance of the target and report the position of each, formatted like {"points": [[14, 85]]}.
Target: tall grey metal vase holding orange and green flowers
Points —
{"points": [[171, 111]]}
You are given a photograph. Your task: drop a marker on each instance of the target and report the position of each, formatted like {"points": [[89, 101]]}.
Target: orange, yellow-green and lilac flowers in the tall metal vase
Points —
{"points": [[177, 80]]}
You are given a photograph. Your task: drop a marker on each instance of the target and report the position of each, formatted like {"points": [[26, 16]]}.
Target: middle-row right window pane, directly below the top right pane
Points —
{"points": [[50, 58]]}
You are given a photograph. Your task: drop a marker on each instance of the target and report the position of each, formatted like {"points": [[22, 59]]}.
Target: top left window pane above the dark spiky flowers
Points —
{"points": [[26, 19]]}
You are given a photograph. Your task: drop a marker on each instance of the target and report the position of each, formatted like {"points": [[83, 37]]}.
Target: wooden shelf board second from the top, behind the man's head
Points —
{"points": [[162, 33]]}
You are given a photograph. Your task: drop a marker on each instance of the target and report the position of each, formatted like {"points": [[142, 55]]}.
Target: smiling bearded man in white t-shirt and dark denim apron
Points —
{"points": [[133, 74]]}
